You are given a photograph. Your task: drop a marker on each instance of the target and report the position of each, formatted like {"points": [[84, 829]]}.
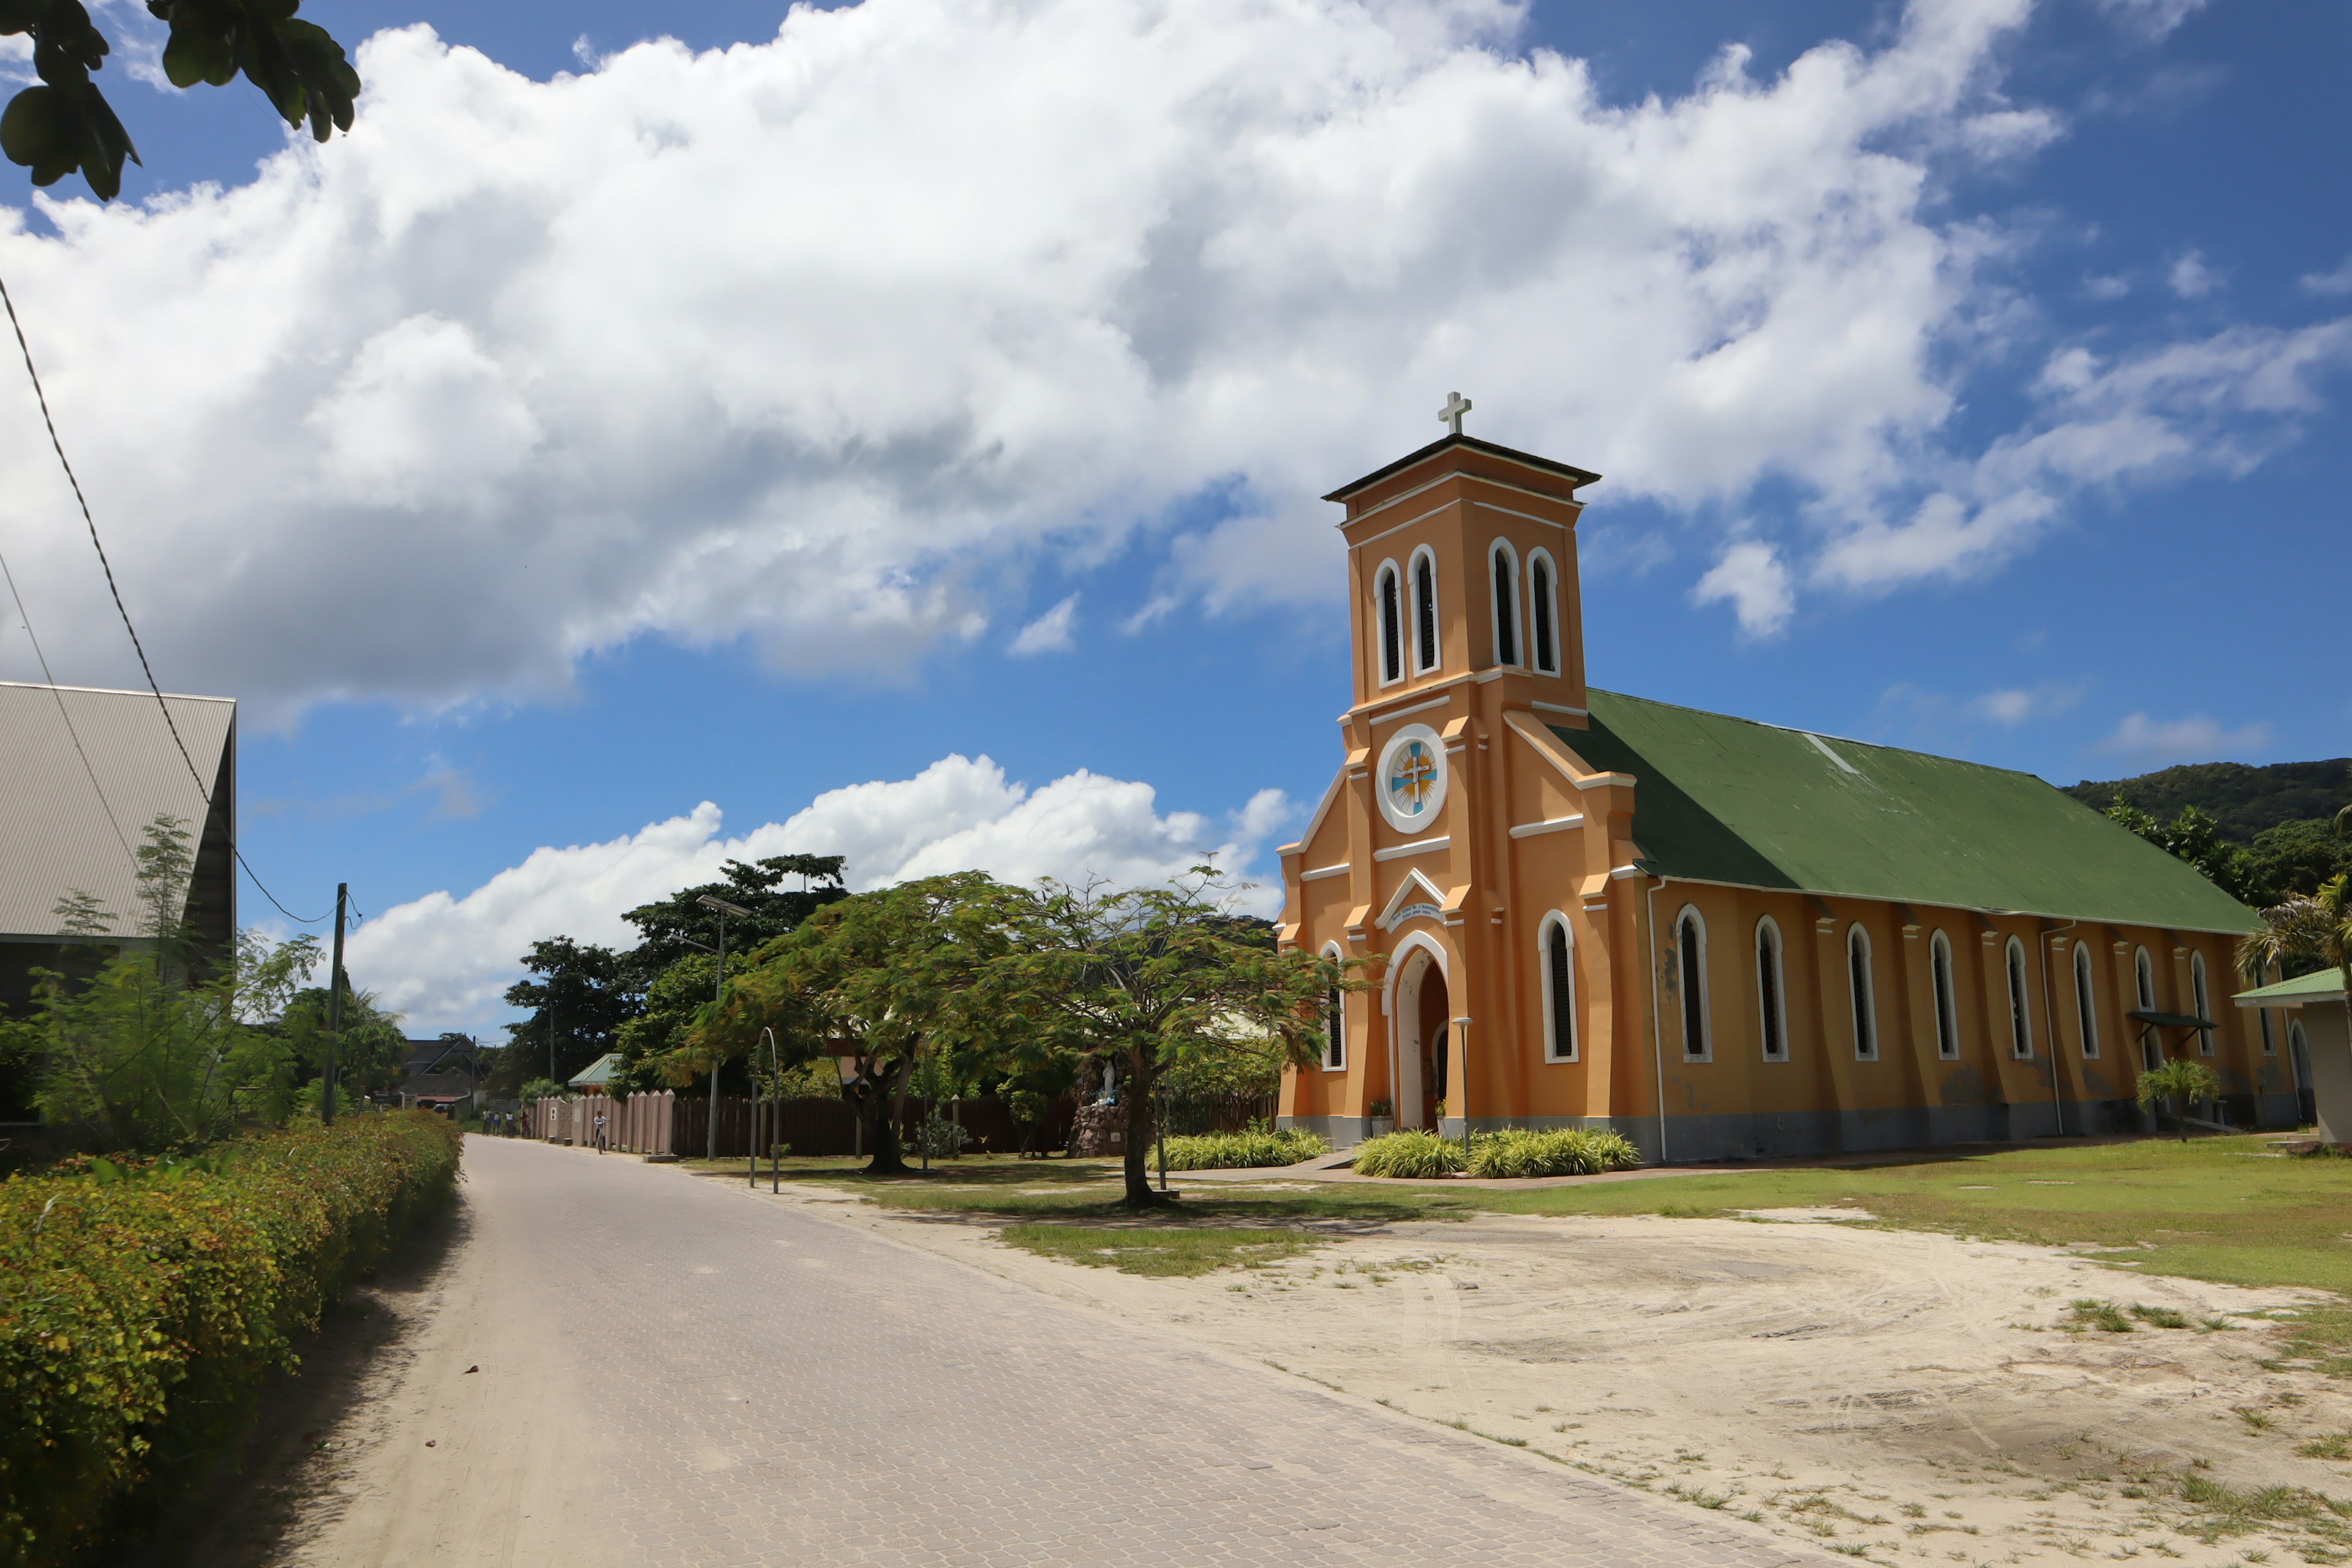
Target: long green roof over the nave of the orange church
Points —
{"points": [[1756, 805]]}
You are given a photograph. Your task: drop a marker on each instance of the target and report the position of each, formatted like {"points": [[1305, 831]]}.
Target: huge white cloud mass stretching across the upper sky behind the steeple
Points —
{"points": [[824, 342]]}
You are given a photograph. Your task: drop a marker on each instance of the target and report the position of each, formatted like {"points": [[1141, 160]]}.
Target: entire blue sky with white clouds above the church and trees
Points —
{"points": [[2076, 274]]}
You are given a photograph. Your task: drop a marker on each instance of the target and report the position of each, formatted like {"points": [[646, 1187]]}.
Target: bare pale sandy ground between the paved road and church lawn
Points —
{"points": [[1883, 1393]]}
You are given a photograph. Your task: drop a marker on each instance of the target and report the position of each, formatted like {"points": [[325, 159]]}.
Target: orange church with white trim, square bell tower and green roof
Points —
{"points": [[1716, 937]]}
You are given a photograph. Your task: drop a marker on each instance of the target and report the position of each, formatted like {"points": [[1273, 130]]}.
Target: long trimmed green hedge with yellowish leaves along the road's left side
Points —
{"points": [[142, 1308]]}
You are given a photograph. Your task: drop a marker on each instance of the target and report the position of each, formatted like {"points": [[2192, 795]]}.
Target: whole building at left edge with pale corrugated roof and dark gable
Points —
{"points": [[83, 775]]}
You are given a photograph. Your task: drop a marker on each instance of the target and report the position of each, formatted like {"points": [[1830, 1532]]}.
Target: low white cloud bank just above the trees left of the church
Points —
{"points": [[446, 960]]}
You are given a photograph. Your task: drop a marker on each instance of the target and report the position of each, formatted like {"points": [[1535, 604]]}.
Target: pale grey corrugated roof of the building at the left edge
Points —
{"points": [[62, 824]]}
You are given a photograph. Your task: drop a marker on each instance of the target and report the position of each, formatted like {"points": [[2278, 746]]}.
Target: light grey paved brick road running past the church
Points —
{"points": [[770, 1388]]}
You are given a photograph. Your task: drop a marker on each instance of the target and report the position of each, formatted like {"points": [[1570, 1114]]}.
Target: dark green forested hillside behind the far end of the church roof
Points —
{"points": [[2261, 833]]}
